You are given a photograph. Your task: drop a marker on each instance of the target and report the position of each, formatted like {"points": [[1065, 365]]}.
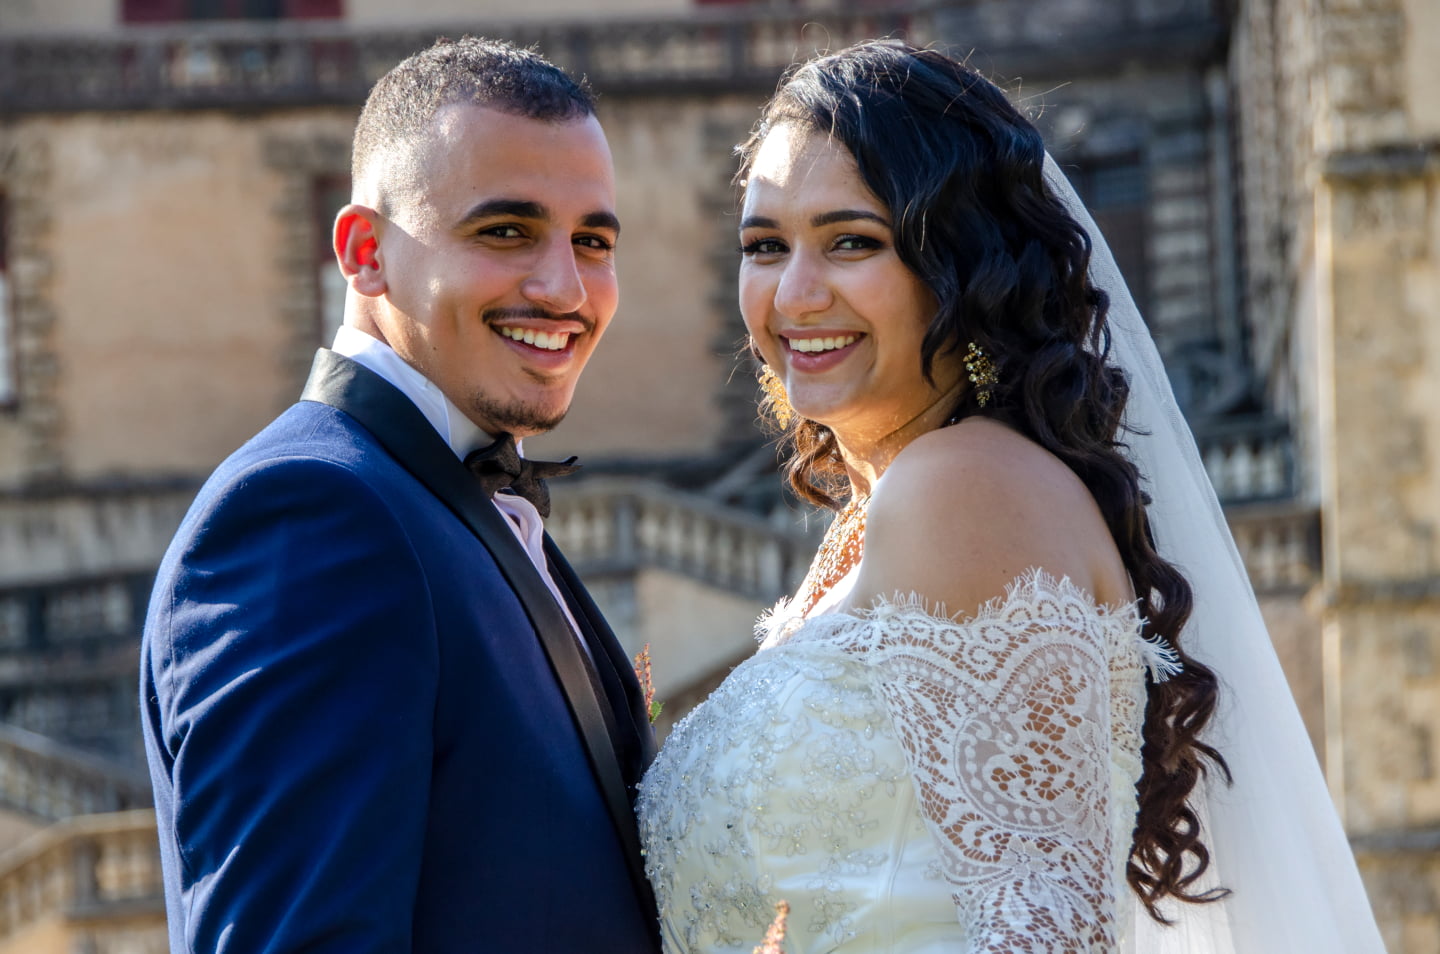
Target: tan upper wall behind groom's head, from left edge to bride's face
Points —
{"points": [[165, 280]]}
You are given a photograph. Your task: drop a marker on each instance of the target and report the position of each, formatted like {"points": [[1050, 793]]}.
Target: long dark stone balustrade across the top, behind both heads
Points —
{"points": [[315, 63]]}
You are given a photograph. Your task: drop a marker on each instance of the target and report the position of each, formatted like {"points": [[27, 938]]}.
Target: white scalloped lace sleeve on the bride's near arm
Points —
{"points": [[1006, 726]]}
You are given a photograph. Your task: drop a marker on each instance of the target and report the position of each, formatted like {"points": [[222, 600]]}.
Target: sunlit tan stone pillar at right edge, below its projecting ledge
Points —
{"points": [[1380, 373]]}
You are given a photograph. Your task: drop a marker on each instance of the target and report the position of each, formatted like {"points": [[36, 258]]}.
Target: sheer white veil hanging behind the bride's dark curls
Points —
{"points": [[1275, 838]]}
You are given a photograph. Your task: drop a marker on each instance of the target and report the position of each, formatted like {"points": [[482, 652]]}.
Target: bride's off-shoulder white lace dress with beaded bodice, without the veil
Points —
{"points": [[908, 782]]}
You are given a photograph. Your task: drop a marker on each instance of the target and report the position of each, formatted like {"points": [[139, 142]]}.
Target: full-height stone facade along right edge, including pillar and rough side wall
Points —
{"points": [[1341, 188]]}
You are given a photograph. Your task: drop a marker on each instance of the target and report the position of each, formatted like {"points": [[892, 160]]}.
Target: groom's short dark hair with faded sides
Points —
{"points": [[473, 70]]}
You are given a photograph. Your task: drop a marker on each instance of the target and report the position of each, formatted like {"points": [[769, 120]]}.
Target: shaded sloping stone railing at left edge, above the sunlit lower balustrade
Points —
{"points": [[54, 782]]}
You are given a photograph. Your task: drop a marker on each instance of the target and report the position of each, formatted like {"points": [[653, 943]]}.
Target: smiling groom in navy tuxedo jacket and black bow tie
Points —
{"points": [[381, 711]]}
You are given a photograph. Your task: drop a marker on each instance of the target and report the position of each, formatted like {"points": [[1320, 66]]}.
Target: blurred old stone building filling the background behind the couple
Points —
{"points": [[1266, 172]]}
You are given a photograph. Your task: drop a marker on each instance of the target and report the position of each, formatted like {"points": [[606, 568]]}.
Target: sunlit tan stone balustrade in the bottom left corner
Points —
{"points": [[83, 871]]}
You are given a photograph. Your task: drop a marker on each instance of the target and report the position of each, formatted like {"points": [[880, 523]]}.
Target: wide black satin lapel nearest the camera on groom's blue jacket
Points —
{"points": [[404, 432]]}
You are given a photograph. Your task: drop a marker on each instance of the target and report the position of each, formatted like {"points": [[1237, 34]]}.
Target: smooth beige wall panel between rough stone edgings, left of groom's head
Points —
{"points": [[168, 309]]}
